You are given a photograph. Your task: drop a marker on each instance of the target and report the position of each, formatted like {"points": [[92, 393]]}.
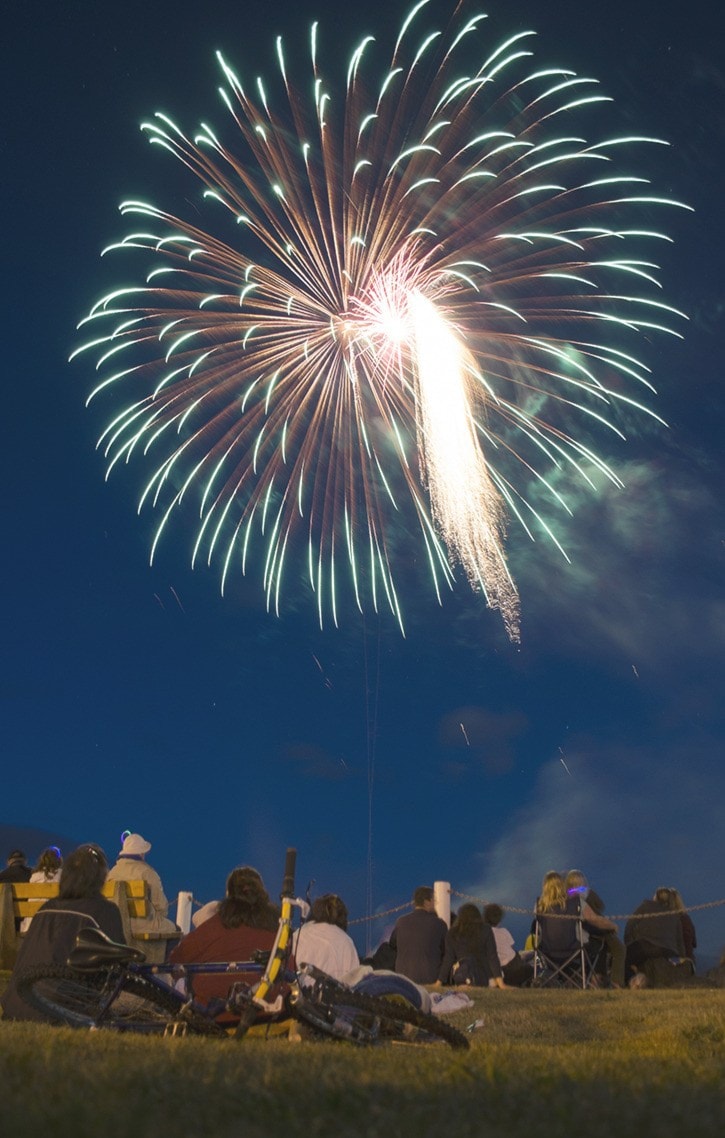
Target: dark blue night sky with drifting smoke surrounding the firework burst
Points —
{"points": [[138, 698]]}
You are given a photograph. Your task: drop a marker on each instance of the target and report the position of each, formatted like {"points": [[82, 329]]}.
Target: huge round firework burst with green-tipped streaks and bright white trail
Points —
{"points": [[419, 301]]}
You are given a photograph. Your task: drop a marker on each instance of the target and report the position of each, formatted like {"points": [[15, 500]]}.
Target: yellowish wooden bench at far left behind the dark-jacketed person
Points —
{"points": [[21, 900]]}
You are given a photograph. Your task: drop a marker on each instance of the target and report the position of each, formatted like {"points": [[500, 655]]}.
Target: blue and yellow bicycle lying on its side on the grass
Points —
{"points": [[105, 985]]}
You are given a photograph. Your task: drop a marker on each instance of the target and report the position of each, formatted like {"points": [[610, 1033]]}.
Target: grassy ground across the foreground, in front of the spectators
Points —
{"points": [[649, 1065]]}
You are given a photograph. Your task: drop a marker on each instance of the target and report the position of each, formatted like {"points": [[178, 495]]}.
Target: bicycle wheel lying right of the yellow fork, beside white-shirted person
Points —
{"points": [[347, 1015]]}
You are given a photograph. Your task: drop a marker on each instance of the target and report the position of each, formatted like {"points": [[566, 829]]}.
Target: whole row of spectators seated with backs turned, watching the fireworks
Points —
{"points": [[658, 947]]}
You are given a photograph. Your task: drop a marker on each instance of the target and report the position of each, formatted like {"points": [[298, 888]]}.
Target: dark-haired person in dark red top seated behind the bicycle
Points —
{"points": [[246, 921]]}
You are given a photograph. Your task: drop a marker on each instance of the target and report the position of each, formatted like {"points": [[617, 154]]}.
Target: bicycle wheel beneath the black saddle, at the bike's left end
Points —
{"points": [[79, 1000]]}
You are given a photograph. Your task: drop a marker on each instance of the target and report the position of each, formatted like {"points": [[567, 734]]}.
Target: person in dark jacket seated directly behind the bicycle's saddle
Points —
{"points": [[52, 936]]}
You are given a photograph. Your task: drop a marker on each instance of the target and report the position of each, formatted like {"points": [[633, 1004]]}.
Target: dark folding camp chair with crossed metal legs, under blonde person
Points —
{"points": [[562, 959]]}
